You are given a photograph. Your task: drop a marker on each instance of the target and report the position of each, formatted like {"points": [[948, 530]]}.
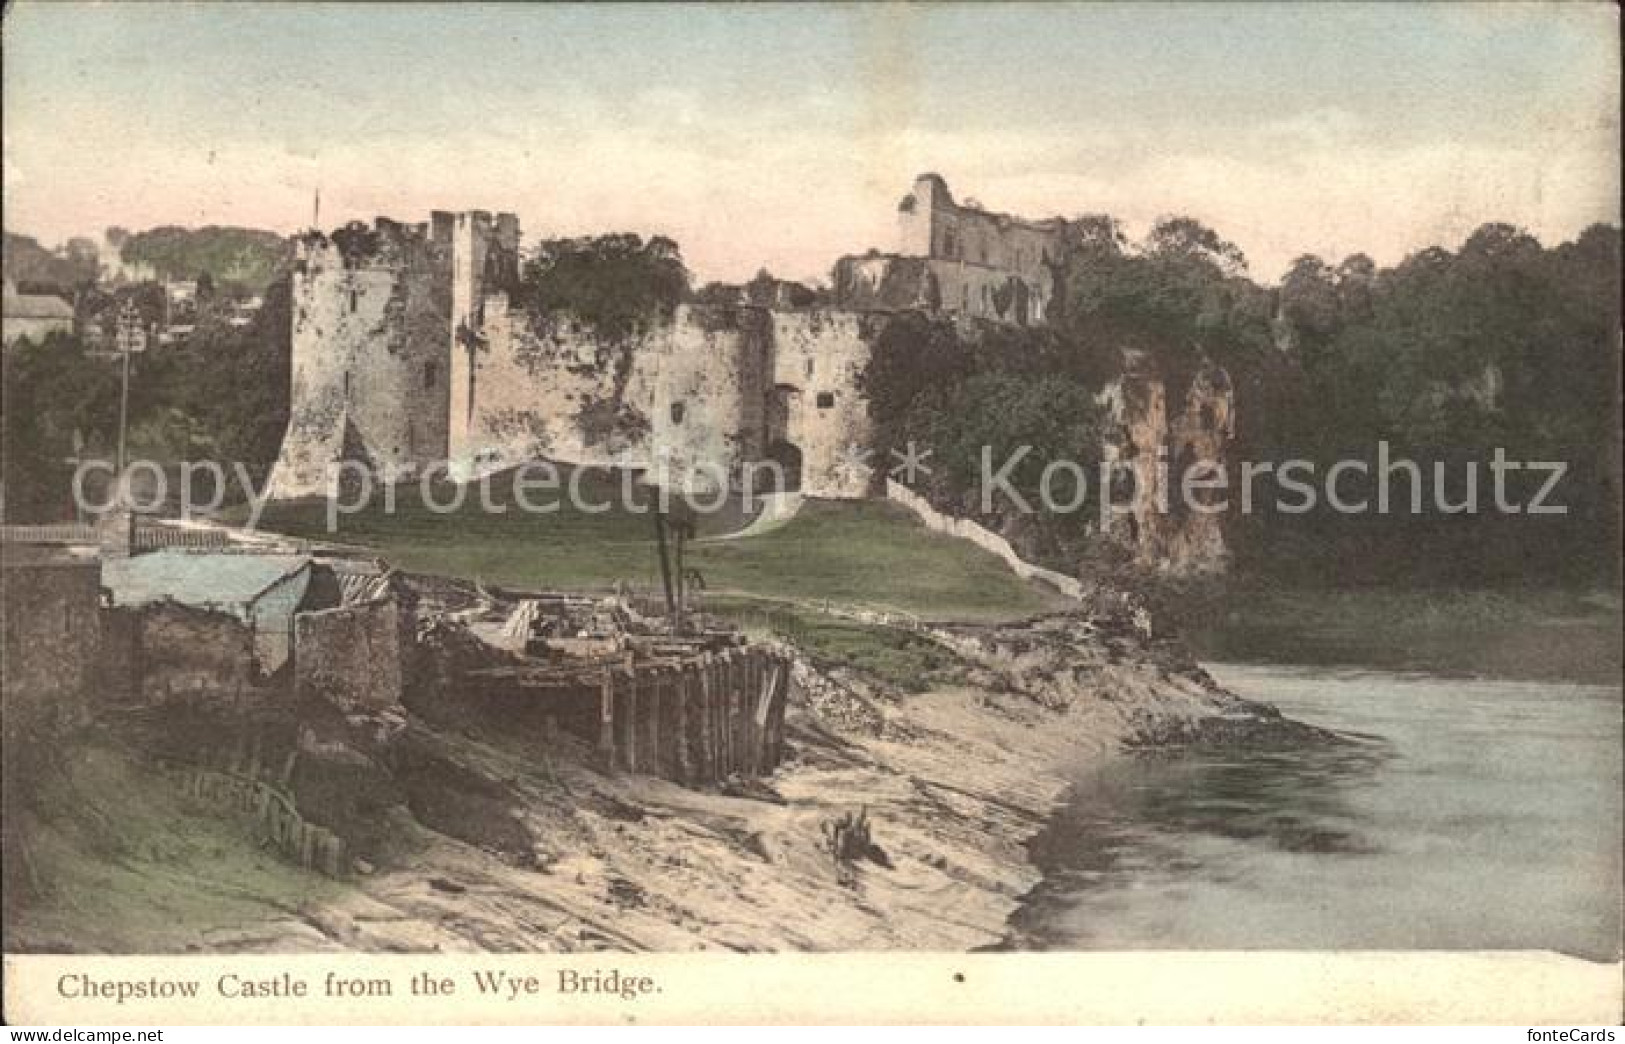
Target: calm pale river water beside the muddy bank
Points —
{"points": [[1463, 814]]}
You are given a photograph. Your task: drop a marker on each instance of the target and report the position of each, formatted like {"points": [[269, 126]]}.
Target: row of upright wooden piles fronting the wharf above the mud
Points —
{"points": [[700, 721]]}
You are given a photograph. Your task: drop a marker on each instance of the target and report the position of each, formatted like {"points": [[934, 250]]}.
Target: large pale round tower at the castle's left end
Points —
{"points": [[371, 357]]}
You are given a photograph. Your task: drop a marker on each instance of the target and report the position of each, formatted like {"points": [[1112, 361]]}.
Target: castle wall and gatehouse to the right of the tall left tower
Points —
{"points": [[703, 394]]}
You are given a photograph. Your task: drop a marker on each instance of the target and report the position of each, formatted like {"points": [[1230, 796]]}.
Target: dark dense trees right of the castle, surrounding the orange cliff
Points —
{"points": [[1445, 359]]}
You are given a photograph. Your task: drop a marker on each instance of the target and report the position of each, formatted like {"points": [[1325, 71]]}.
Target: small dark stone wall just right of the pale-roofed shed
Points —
{"points": [[353, 658]]}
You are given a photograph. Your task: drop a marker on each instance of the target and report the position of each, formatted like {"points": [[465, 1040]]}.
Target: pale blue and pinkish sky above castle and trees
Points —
{"points": [[786, 136]]}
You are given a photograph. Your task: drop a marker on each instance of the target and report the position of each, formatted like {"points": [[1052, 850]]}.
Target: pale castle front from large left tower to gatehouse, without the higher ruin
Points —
{"points": [[410, 349]]}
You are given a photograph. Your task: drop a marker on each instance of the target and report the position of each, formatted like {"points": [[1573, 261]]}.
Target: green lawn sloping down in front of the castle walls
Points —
{"points": [[849, 552]]}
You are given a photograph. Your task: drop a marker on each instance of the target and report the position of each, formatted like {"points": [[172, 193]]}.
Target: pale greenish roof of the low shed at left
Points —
{"points": [[220, 581]]}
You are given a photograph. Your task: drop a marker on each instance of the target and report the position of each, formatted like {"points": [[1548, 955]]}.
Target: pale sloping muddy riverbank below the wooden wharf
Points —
{"points": [[514, 845]]}
